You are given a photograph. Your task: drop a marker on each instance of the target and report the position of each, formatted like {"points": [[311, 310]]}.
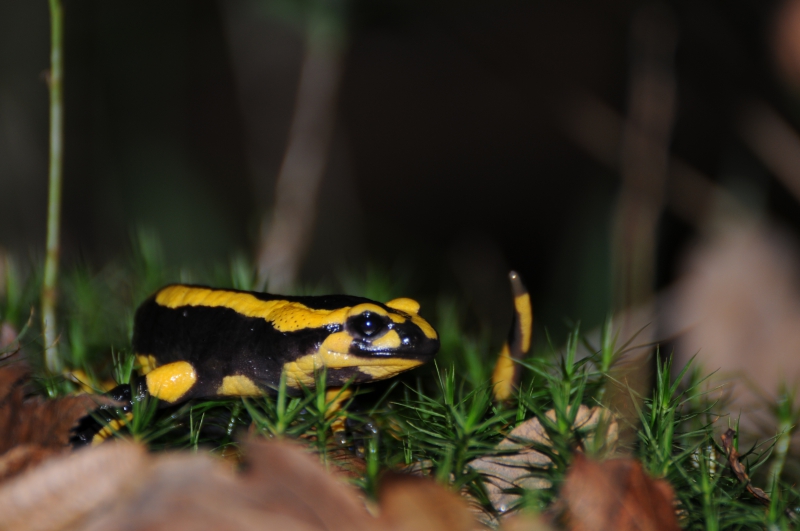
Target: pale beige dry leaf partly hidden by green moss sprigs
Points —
{"points": [[515, 470]]}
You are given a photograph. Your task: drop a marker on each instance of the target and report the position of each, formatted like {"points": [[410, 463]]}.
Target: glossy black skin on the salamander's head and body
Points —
{"points": [[220, 342]]}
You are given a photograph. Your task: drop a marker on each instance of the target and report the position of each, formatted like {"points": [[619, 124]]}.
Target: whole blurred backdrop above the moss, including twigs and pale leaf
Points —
{"points": [[619, 154]]}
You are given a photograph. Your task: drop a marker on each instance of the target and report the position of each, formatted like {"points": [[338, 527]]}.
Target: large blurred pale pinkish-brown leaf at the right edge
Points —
{"points": [[738, 305]]}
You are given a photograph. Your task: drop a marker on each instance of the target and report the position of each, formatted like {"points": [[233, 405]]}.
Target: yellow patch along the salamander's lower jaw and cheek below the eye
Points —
{"points": [[333, 353]]}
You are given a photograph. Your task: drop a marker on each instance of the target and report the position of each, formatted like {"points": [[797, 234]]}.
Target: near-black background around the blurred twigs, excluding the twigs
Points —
{"points": [[449, 159]]}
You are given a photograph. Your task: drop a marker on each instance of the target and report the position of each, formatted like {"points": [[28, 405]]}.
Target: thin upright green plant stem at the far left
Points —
{"points": [[49, 283]]}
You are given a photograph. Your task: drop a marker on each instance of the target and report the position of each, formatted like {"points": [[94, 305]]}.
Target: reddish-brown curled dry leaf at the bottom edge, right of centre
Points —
{"points": [[616, 495]]}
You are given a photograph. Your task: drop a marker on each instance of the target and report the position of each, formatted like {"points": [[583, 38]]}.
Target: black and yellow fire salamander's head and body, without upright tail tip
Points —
{"points": [[200, 342]]}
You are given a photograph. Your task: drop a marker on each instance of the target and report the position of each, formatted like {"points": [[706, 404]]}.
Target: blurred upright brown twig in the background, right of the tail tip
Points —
{"points": [[645, 154]]}
